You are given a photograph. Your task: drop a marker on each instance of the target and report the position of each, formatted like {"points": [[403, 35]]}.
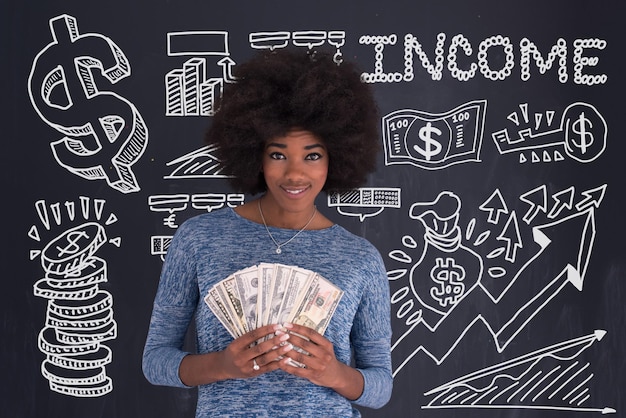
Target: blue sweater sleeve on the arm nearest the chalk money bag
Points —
{"points": [[371, 338]]}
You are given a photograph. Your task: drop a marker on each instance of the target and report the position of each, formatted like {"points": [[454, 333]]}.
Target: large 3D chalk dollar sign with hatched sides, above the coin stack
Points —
{"points": [[104, 133]]}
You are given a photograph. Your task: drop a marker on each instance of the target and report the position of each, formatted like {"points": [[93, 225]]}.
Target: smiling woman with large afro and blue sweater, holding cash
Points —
{"points": [[293, 125]]}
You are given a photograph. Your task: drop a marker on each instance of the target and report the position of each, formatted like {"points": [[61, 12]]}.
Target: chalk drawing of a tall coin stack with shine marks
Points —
{"points": [[79, 315]]}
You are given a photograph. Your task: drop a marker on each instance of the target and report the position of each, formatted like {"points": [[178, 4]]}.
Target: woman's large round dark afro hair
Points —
{"points": [[279, 91]]}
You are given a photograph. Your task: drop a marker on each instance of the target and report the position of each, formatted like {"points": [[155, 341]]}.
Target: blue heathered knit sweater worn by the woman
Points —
{"points": [[208, 248]]}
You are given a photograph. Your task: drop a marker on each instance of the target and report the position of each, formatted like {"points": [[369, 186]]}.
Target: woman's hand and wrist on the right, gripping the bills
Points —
{"points": [[318, 362]]}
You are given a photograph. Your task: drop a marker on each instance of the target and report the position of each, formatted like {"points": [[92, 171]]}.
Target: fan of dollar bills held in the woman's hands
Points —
{"points": [[273, 294]]}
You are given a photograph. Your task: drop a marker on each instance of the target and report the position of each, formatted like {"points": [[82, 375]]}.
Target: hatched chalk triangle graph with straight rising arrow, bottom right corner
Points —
{"points": [[548, 379]]}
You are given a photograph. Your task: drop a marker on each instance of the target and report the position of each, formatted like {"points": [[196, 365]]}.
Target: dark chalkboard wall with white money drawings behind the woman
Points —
{"points": [[568, 192]]}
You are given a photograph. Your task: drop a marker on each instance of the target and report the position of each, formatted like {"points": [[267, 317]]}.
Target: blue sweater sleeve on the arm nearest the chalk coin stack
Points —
{"points": [[174, 307]]}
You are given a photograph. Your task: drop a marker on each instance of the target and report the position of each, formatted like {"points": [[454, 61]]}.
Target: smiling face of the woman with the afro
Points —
{"points": [[295, 168]]}
